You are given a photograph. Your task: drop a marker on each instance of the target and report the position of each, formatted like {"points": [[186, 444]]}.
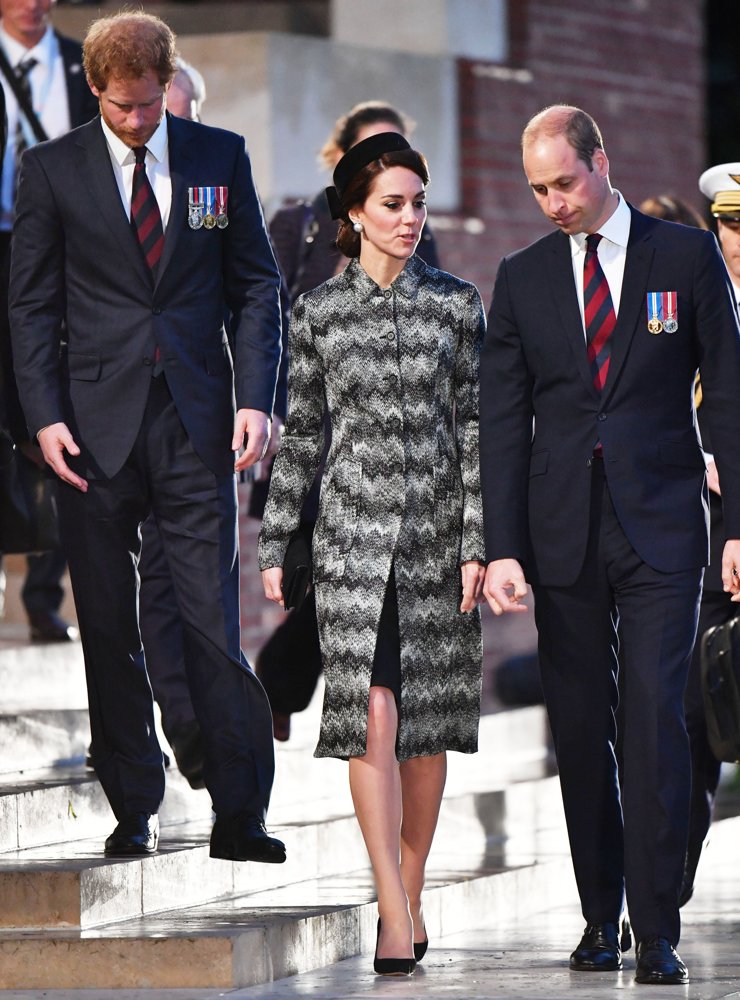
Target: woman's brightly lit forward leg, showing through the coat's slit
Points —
{"points": [[375, 783]]}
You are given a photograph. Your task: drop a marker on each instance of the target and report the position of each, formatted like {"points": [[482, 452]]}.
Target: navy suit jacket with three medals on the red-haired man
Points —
{"points": [[76, 264]]}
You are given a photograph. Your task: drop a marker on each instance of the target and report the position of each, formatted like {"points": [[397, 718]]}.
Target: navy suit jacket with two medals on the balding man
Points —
{"points": [[541, 415]]}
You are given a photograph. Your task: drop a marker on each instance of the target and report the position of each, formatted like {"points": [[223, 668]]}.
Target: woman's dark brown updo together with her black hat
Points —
{"points": [[356, 173]]}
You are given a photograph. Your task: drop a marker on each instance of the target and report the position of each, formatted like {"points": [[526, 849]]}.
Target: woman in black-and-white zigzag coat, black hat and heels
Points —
{"points": [[391, 347]]}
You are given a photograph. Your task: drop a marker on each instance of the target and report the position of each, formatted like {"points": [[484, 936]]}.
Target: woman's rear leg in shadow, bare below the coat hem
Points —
{"points": [[422, 784]]}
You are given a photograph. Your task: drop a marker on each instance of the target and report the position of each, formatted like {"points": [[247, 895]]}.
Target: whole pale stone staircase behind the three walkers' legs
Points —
{"points": [[71, 919]]}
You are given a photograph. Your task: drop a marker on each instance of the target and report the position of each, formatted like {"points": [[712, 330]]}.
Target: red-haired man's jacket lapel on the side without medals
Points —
{"points": [[103, 194]]}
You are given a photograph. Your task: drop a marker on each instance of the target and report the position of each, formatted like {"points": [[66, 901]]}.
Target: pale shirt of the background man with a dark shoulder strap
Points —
{"points": [[50, 102]]}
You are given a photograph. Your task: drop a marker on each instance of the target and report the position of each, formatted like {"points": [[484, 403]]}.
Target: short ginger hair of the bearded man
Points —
{"points": [[127, 46]]}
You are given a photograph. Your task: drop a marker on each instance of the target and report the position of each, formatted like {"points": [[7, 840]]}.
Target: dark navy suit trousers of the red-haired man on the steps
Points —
{"points": [[196, 514]]}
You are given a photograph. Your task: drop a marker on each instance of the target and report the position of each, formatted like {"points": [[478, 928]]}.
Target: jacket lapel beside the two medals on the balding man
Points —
{"points": [[640, 251]]}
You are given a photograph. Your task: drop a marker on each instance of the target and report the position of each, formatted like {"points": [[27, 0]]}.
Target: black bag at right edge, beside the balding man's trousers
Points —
{"points": [[720, 683]]}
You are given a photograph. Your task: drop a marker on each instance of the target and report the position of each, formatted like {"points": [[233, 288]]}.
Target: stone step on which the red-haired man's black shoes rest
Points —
{"points": [[72, 885]]}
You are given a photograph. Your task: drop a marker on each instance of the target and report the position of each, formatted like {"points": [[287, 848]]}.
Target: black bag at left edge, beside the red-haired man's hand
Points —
{"points": [[28, 513]]}
